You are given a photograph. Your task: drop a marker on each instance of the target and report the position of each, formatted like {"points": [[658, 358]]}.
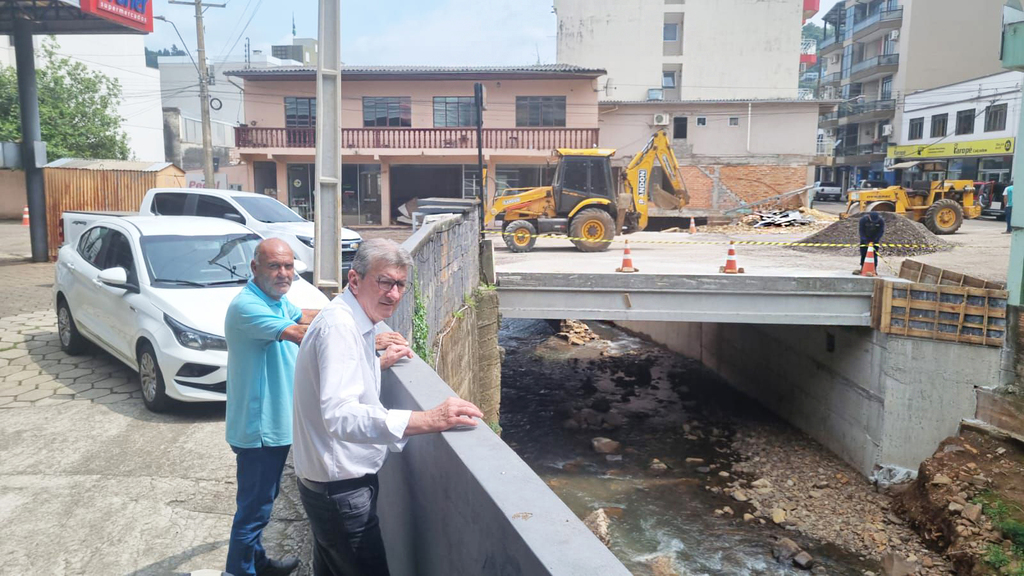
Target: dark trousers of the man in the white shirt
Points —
{"points": [[347, 531]]}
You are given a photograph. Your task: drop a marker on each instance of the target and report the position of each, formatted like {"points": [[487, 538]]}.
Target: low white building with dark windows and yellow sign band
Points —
{"points": [[971, 126]]}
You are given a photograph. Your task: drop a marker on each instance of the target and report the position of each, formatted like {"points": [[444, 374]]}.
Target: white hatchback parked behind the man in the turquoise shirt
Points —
{"points": [[154, 293]]}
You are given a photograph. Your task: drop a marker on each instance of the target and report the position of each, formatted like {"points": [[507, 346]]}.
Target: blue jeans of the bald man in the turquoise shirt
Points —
{"points": [[260, 482]]}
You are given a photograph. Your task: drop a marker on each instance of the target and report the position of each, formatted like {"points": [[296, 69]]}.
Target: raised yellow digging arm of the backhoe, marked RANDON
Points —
{"points": [[638, 175]]}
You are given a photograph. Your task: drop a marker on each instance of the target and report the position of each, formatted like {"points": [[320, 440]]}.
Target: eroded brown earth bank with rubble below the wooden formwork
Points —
{"points": [[968, 503]]}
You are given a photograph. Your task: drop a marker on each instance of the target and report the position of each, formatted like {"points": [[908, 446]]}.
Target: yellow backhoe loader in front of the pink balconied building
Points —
{"points": [[582, 201]]}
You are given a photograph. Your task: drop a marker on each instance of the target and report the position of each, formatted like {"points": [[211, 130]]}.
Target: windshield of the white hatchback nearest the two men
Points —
{"points": [[199, 261]]}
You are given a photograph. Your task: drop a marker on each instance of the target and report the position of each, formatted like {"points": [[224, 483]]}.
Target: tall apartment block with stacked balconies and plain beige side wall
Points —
{"points": [[878, 52]]}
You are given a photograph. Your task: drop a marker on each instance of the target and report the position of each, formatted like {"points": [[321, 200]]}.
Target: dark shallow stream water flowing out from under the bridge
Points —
{"points": [[558, 397]]}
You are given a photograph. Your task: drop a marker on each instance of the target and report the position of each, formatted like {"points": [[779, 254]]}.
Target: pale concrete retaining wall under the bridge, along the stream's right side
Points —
{"points": [[873, 399]]}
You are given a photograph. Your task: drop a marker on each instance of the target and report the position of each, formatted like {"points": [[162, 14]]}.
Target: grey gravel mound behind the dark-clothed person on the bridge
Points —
{"points": [[900, 230]]}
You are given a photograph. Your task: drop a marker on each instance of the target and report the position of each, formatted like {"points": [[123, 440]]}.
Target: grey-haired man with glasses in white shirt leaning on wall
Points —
{"points": [[343, 433]]}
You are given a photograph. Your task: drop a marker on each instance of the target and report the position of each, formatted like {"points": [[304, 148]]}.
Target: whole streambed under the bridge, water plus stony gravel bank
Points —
{"points": [[694, 479]]}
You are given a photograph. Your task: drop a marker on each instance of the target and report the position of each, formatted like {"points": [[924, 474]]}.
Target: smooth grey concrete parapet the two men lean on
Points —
{"points": [[463, 503]]}
